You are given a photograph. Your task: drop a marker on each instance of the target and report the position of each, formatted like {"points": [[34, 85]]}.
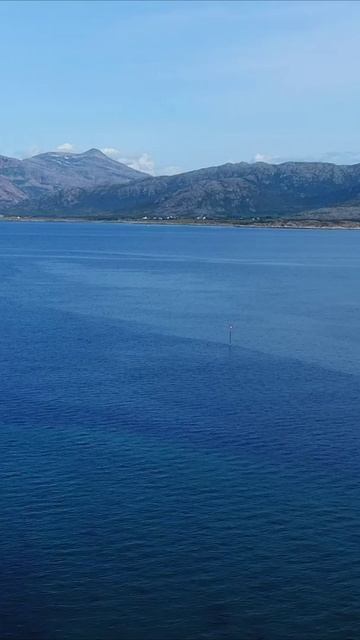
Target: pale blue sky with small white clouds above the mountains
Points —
{"points": [[171, 86]]}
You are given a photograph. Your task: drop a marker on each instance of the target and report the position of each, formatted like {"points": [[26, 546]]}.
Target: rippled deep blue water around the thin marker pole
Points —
{"points": [[155, 484]]}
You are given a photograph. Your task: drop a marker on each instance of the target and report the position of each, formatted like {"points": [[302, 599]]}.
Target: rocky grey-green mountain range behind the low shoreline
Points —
{"points": [[92, 185]]}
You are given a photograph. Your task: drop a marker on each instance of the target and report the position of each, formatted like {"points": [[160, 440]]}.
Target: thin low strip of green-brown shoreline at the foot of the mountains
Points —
{"points": [[240, 224]]}
